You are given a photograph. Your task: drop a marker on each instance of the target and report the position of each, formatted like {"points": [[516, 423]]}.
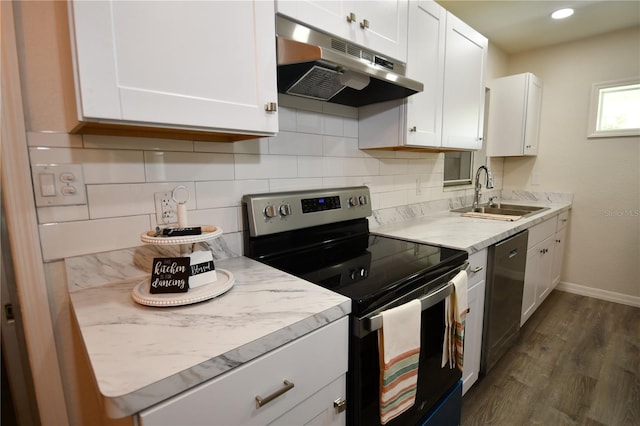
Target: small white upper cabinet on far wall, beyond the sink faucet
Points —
{"points": [[514, 116]]}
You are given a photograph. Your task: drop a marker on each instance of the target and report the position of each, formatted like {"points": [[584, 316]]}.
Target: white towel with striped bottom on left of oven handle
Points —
{"points": [[399, 349]]}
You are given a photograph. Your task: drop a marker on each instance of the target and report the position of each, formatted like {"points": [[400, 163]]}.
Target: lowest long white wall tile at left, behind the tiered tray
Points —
{"points": [[68, 239]]}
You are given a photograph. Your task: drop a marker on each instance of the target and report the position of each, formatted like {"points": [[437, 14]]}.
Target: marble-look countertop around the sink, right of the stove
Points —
{"points": [[453, 230]]}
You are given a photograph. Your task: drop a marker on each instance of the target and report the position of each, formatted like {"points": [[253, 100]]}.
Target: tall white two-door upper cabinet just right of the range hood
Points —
{"points": [[448, 57]]}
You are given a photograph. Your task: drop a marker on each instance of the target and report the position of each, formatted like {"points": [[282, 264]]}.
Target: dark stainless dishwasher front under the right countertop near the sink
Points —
{"points": [[503, 298]]}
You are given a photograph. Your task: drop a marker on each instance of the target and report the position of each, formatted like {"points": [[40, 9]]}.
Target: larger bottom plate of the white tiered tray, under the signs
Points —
{"points": [[225, 281]]}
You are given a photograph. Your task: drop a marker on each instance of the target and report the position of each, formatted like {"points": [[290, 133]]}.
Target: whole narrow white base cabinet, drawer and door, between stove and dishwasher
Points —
{"points": [[474, 320]]}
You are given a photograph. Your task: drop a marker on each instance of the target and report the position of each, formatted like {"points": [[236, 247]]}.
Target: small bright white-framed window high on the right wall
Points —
{"points": [[615, 109]]}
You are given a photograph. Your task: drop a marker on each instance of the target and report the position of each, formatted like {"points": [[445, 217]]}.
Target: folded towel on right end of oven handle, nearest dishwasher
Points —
{"points": [[456, 307]]}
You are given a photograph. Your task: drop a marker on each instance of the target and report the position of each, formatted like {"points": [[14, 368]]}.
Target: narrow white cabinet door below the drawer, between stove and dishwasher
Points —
{"points": [[473, 336]]}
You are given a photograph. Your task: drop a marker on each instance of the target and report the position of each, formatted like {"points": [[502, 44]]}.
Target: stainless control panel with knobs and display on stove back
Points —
{"points": [[275, 212]]}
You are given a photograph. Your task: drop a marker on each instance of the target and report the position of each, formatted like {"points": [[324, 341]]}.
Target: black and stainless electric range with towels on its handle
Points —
{"points": [[323, 236]]}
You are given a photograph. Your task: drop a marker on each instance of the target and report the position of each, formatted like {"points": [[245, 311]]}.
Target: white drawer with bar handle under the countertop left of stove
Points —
{"points": [[310, 363]]}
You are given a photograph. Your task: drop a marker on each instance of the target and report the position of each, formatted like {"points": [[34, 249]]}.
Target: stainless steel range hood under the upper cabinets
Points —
{"points": [[318, 66]]}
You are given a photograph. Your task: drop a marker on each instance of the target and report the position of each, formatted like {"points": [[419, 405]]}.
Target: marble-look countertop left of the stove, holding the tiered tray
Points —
{"points": [[142, 355]]}
